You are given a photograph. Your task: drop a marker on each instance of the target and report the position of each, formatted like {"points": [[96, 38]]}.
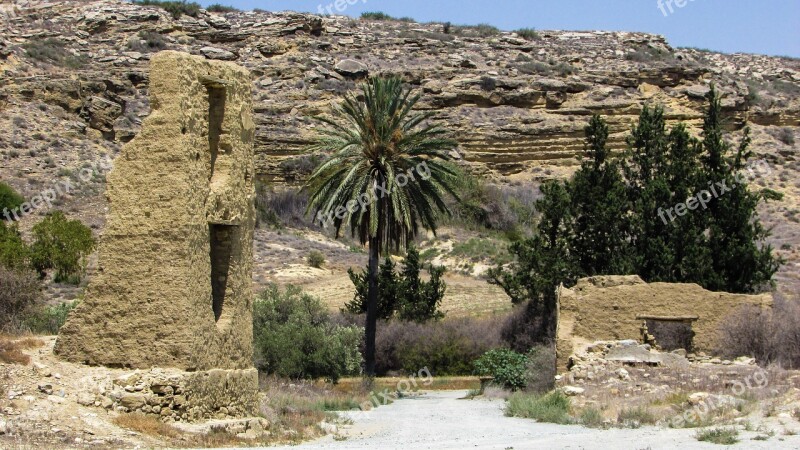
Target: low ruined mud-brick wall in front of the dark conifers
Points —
{"points": [[614, 308]]}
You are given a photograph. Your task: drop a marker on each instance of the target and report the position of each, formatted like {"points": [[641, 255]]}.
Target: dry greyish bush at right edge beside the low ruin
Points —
{"points": [[770, 336]]}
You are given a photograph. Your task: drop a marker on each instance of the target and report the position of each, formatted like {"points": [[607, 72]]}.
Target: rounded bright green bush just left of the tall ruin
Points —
{"points": [[63, 245]]}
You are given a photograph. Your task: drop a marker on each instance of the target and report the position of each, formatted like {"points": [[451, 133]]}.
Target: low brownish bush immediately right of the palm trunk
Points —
{"points": [[445, 347]]}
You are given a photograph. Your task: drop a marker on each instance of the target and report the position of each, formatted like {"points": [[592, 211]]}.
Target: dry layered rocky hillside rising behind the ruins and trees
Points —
{"points": [[518, 106]]}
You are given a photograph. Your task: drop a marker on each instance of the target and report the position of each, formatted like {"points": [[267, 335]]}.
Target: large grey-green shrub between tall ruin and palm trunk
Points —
{"points": [[294, 337]]}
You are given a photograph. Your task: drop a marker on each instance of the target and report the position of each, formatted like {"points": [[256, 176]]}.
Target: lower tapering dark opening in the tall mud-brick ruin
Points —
{"points": [[222, 238]]}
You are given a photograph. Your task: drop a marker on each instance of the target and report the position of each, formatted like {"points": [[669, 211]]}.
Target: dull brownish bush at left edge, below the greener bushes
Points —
{"points": [[20, 294]]}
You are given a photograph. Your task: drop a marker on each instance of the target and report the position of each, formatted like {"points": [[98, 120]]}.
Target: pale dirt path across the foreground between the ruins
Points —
{"points": [[440, 420]]}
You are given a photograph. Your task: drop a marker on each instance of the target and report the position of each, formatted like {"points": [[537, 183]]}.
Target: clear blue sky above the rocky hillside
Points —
{"points": [[754, 26]]}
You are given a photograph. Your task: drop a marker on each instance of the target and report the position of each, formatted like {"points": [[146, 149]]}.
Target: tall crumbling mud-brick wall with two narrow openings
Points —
{"points": [[173, 286]]}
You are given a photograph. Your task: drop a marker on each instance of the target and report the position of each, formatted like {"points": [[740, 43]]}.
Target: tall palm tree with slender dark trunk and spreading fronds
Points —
{"points": [[386, 176]]}
